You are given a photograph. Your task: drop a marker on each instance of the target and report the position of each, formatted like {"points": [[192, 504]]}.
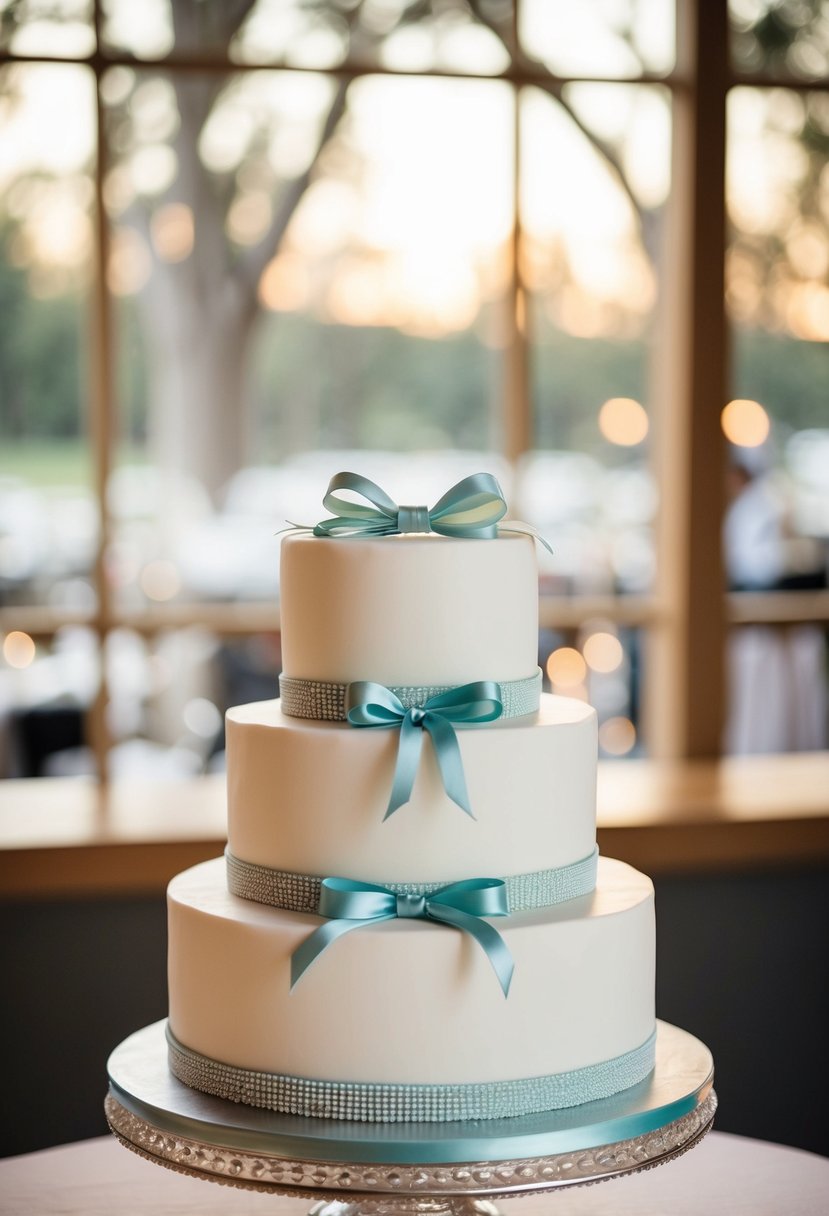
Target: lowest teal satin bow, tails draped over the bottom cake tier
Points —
{"points": [[353, 905]]}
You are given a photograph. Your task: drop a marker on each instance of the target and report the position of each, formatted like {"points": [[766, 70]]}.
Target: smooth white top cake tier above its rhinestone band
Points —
{"points": [[421, 610]]}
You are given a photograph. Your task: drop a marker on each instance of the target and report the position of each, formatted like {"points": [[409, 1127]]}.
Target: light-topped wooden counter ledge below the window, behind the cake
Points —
{"points": [[74, 838]]}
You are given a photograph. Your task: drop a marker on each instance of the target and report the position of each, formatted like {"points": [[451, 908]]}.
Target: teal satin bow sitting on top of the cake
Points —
{"points": [[470, 509]]}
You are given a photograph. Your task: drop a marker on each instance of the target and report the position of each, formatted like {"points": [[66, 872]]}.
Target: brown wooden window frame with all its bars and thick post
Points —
{"points": [[687, 617]]}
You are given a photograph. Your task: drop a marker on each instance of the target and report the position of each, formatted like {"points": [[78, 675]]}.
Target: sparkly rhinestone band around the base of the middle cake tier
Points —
{"points": [[301, 893]]}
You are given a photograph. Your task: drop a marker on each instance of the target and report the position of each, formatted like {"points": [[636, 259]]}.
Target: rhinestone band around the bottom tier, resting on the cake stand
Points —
{"points": [[409, 1104]]}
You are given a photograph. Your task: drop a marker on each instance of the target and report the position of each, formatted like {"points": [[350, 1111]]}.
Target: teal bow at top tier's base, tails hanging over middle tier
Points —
{"points": [[374, 705]]}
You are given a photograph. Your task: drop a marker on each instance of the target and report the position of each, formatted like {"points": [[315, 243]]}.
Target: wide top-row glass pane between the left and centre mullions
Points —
{"points": [[295, 33]]}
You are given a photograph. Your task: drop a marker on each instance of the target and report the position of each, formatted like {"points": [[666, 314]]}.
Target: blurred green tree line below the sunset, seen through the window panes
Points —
{"points": [[369, 384]]}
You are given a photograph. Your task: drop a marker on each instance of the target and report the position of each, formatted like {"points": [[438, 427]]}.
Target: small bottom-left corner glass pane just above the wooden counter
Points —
{"points": [[47, 691]]}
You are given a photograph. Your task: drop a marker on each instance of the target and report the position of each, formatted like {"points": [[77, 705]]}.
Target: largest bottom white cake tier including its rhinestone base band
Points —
{"points": [[407, 1020]]}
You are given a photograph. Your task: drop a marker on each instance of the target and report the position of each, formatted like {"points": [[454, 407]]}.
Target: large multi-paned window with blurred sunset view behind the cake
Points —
{"points": [[249, 245]]}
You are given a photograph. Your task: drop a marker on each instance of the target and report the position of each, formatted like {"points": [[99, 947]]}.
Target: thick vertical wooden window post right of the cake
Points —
{"points": [[686, 668]]}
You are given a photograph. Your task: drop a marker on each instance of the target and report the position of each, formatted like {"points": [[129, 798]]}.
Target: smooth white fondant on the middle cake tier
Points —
{"points": [[311, 797]]}
